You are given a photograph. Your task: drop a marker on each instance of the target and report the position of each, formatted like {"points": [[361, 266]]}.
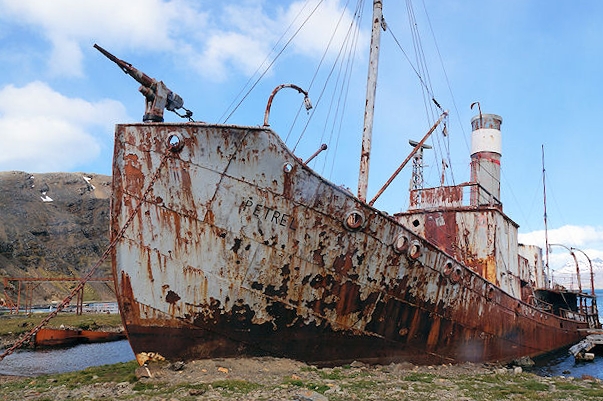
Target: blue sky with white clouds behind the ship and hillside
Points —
{"points": [[536, 63]]}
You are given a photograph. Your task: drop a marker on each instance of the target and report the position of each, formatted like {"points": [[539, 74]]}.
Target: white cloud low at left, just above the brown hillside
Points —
{"points": [[42, 130]]}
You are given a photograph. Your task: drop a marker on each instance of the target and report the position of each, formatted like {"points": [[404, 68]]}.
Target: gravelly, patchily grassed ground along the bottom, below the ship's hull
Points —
{"points": [[284, 379]]}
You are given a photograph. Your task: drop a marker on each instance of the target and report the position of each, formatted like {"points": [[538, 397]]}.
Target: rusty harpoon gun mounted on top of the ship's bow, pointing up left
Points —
{"points": [[158, 96]]}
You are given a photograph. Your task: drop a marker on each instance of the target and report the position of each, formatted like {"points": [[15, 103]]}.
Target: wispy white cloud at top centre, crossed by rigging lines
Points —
{"points": [[242, 36]]}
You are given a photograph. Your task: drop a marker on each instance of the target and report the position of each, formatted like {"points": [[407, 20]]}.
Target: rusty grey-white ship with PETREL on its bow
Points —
{"points": [[228, 244]]}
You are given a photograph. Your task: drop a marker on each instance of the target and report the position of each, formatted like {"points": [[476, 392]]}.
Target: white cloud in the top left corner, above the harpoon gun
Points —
{"points": [[68, 25]]}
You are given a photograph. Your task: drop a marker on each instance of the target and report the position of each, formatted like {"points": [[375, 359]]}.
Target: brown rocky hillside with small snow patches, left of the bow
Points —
{"points": [[54, 225]]}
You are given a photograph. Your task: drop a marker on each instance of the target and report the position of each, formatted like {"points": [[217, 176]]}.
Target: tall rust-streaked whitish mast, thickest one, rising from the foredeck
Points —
{"points": [[371, 89]]}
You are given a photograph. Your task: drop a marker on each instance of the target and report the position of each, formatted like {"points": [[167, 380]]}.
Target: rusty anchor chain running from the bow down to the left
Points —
{"points": [[102, 259]]}
